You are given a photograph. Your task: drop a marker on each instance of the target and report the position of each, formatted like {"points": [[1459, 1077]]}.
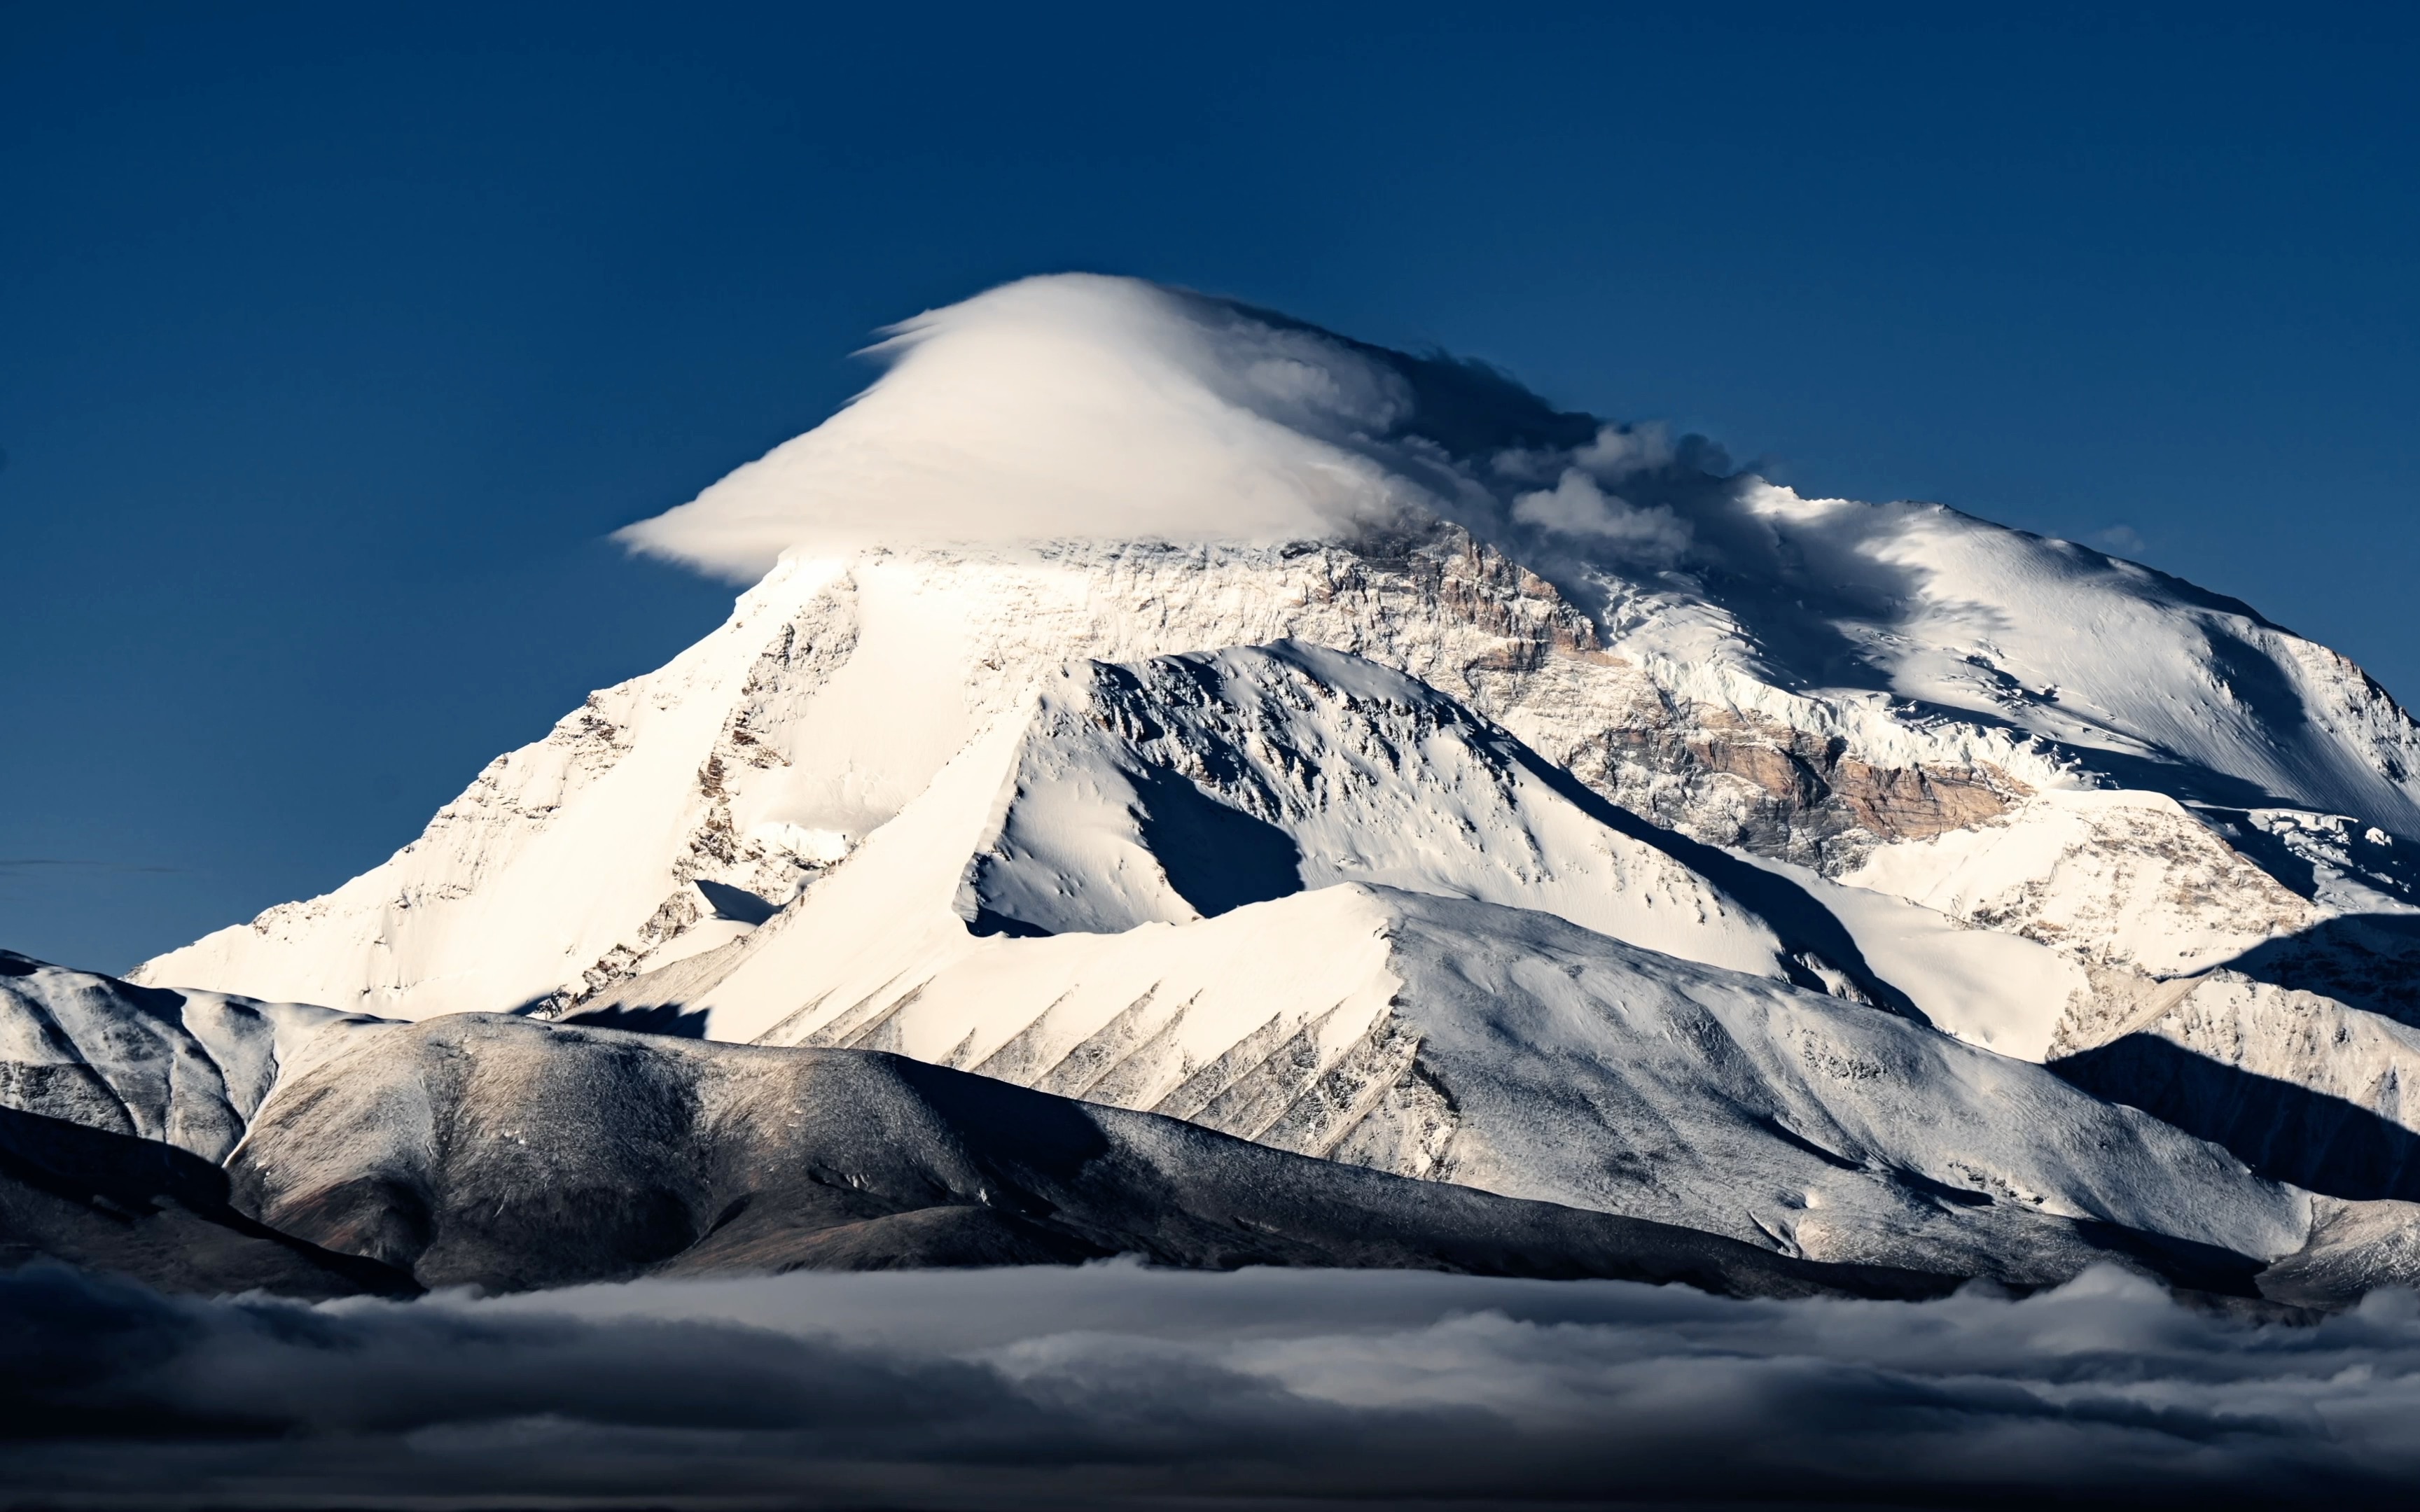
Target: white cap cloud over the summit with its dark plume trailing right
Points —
{"points": [[1119, 410]]}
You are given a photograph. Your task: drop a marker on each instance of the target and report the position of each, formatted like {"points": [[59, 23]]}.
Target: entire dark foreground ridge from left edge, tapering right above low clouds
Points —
{"points": [[204, 1143]]}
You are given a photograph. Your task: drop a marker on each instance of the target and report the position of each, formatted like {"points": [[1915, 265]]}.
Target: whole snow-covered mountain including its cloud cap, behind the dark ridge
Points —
{"points": [[1165, 703]]}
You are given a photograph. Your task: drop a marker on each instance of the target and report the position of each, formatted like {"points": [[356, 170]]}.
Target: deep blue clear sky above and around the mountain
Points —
{"points": [[335, 337]]}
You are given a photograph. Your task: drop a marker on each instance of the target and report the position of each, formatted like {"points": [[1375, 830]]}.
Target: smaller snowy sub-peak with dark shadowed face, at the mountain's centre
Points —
{"points": [[1189, 785]]}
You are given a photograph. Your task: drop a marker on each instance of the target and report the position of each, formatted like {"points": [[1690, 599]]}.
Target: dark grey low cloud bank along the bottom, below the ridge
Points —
{"points": [[1119, 1387]]}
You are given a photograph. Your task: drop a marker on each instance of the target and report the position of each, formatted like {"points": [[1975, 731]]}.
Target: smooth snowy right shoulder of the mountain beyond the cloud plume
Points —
{"points": [[2138, 676]]}
